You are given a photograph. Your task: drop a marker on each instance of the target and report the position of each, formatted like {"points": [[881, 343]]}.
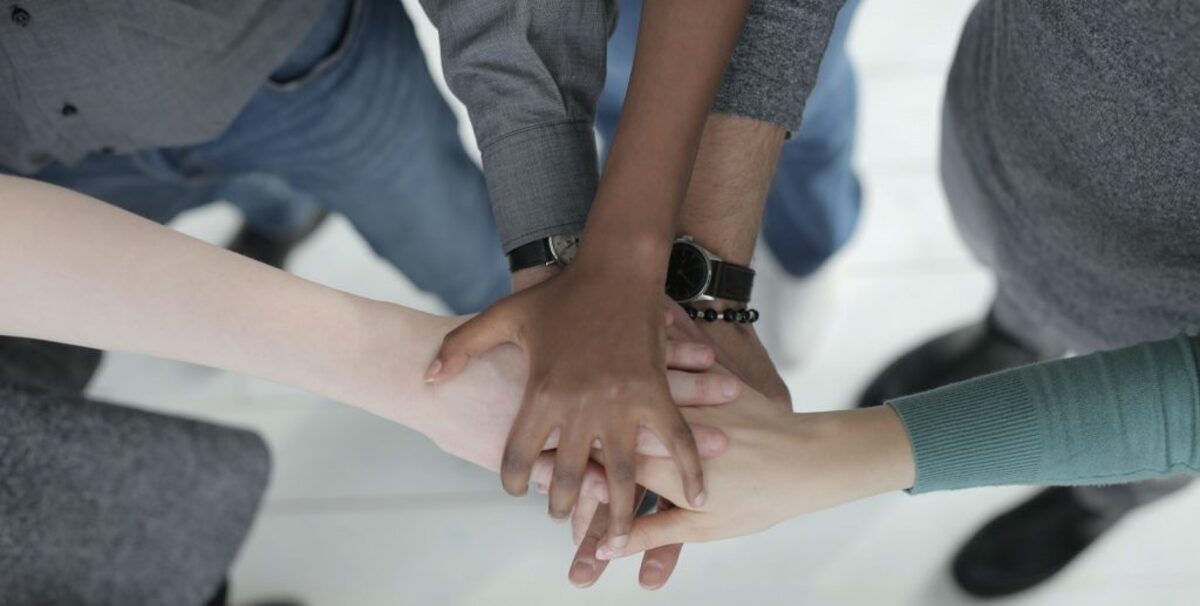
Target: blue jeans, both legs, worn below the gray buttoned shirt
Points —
{"points": [[351, 122]]}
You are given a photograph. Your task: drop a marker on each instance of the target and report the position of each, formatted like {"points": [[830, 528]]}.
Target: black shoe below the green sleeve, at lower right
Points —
{"points": [[1030, 544]]}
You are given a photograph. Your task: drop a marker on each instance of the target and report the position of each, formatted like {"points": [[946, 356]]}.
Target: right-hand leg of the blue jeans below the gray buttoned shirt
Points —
{"points": [[369, 135]]}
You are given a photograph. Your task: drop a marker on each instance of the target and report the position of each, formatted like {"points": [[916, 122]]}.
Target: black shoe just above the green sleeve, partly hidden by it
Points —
{"points": [[969, 352]]}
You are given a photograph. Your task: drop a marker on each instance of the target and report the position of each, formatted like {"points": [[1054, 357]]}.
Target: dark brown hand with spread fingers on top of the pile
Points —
{"points": [[596, 345]]}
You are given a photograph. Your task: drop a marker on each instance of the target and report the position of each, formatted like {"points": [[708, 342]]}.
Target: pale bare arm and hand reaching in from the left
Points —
{"points": [[76, 271]]}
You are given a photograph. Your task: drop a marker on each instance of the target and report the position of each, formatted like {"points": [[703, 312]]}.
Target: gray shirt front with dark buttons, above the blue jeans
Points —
{"points": [[137, 75]]}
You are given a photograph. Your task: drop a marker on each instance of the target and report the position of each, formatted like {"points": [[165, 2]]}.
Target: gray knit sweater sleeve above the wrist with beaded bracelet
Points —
{"points": [[777, 61]]}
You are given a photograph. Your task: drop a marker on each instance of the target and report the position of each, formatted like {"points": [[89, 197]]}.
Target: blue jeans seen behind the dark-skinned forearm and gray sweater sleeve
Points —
{"points": [[815, 200]]}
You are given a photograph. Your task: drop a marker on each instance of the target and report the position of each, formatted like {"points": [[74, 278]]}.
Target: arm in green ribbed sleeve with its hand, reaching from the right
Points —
{"points": [[1106, 418]]}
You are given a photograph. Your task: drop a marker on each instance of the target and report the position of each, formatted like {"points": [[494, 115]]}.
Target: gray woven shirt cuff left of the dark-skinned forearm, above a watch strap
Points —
{"points": [[542, 181]]}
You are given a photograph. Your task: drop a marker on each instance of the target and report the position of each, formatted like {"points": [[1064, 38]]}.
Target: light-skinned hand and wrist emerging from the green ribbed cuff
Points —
{"points": [[778, 466]]}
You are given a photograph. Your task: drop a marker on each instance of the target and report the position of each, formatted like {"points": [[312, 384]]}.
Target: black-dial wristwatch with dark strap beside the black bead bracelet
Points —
{"points": [[698, 275]]}
